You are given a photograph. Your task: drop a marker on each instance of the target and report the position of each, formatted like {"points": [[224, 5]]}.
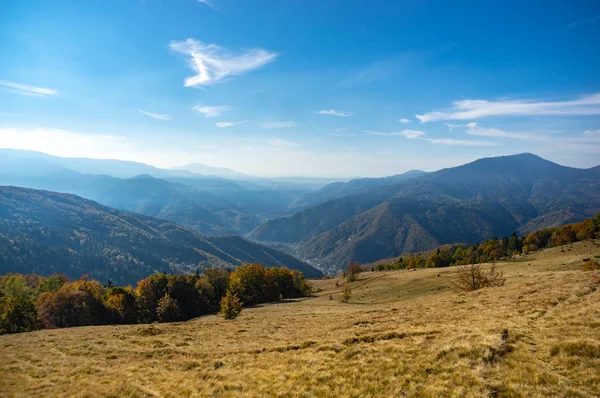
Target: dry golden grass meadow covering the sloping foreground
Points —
{"points": [[404, 333]]}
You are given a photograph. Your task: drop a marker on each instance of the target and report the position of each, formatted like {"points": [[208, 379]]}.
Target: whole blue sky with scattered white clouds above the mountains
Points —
{"points": [[302, 87]]}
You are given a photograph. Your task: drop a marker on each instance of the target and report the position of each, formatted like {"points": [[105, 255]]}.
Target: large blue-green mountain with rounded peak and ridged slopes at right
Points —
{"points": [[470, 203]]}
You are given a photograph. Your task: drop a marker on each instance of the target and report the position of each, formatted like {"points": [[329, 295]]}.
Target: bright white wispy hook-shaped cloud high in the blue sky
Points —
{"points": [[214, 63]]}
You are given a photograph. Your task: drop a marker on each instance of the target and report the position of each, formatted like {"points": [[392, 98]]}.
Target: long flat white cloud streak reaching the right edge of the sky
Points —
{"points": [[475, 109]]}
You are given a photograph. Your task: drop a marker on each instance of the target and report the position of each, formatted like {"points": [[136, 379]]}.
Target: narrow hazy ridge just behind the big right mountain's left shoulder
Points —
{"points": [[339, 189]]}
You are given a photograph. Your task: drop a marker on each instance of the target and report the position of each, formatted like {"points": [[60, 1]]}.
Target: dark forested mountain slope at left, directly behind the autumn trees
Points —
{"points": [[48, 232]]}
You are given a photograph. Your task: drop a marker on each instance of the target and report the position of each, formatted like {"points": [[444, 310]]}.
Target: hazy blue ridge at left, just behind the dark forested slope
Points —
{"points": [[142, 194]]}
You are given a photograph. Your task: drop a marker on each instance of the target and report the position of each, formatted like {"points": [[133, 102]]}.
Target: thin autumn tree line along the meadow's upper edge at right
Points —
{"points": [[494, 249]]}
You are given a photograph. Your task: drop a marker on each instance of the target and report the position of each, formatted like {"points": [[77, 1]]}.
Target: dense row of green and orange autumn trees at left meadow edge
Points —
{"points": [[30, 302]]}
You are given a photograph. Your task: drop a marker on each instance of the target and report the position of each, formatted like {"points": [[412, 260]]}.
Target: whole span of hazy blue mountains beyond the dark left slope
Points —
{"points": [[330, 224]]}
